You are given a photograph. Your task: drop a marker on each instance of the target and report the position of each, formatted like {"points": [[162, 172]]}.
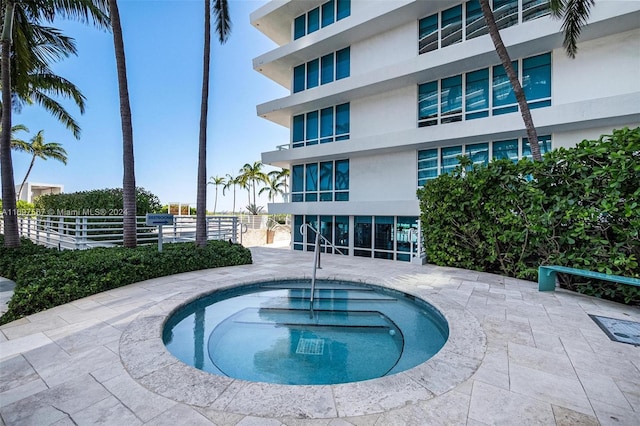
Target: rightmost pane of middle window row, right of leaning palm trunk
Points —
{"points": [[536, 80]]}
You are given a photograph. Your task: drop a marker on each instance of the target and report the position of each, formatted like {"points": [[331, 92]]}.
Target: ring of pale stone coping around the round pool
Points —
{"points": [[147, 360]]}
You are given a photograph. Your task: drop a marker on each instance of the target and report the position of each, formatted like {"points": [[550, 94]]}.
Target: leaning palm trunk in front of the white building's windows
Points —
{"points": [[513, 79]]}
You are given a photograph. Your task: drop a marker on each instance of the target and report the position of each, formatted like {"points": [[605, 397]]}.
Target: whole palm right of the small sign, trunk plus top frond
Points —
{"points": [[223, 28]]}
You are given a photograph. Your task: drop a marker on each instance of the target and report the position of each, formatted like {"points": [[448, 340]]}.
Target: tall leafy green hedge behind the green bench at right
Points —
{"points": [[579, 207]]}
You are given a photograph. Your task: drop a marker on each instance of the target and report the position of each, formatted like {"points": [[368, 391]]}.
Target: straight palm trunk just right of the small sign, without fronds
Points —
{"points": [[201, 202]]}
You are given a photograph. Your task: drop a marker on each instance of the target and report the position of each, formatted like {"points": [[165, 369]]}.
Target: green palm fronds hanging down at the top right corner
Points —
{"points": [[574, 14]]}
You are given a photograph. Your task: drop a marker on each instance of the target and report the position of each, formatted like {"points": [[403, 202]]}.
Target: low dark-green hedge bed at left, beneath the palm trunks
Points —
{"points": [[46, 277]]}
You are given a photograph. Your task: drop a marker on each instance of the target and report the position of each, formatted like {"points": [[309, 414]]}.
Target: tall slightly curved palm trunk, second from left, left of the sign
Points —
{"points": [[129, 179]]}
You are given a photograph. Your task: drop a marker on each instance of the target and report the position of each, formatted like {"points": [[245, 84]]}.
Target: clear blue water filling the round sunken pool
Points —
{"points": [[264, 332]]}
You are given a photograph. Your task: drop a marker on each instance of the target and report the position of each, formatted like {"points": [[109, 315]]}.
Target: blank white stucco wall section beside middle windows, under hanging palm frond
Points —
{"points": [[613, 65]]}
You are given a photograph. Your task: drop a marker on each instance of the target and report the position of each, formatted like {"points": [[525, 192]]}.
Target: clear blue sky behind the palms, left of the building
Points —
{"points": [[163, 47]]}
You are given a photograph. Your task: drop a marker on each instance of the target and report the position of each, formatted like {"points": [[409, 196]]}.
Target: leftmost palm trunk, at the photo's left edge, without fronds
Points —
{"points": [[9, 210]]}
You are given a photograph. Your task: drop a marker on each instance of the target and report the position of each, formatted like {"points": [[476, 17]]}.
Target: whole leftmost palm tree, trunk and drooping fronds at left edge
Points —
{"points": [[36, 60]]}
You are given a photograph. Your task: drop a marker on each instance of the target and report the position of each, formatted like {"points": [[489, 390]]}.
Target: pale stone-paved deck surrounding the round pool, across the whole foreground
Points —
{"points": [[538, 358]]}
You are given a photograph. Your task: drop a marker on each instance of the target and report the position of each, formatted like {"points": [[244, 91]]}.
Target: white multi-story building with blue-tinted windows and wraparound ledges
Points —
{"points": [[384, 94]]}
